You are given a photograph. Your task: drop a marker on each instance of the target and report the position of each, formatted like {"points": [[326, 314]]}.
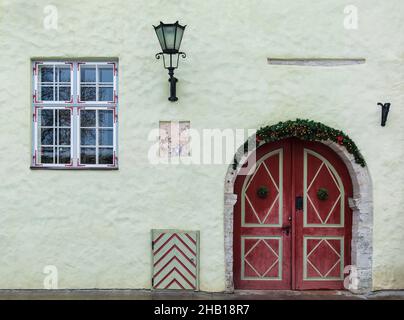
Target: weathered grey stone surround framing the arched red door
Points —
{"points": [[362, 214]]}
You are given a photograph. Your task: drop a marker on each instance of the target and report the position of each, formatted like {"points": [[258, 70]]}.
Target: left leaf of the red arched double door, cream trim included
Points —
{"points": [[262, 249]]}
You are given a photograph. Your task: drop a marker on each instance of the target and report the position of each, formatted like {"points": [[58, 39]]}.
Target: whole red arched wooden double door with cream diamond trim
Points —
{"points": [[292, 222]]}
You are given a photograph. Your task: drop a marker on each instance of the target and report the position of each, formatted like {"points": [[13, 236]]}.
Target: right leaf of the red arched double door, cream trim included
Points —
{"points": [[323, 227]]}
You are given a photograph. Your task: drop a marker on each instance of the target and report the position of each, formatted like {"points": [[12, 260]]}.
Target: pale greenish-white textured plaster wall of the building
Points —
{"points": [[95, 225]]}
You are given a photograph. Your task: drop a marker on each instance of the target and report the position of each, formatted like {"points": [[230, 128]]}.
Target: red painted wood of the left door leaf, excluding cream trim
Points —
{"points": [[261, 257]]}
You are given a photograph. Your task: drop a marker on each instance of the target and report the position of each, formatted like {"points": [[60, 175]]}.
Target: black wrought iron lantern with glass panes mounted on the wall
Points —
{"points": [[170, 37]]}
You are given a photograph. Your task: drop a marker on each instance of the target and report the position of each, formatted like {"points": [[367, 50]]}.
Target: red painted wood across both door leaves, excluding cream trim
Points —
{"points": [[256, 239]]}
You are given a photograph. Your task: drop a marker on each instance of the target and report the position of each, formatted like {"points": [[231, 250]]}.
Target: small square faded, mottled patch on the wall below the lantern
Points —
{"points": [[174, 140]]}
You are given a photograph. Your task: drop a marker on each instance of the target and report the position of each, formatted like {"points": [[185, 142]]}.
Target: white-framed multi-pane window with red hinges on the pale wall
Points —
{"points": [[75, 114]]}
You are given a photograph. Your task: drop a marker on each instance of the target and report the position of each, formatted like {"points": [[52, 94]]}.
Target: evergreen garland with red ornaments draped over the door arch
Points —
{"points": [[310, 131]]}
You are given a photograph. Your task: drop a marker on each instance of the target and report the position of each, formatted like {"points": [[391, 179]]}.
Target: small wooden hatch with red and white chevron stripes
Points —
{"points": [[175, 256]]}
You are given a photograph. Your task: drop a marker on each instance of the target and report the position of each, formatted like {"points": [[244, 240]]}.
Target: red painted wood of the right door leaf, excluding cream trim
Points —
{"points": [[323, 257]]}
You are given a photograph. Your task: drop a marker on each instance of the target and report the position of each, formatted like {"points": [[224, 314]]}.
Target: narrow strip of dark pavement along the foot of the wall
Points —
{"points": [[165, 295]]}
